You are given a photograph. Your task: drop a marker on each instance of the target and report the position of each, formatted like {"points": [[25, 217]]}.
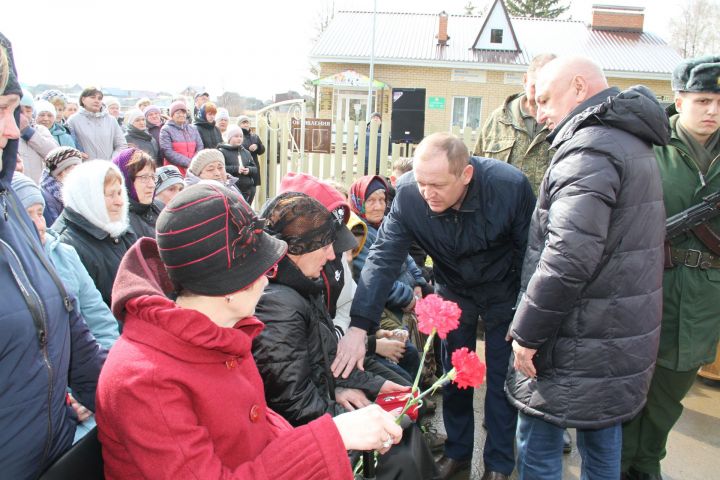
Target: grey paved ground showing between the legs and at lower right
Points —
{"points": [[693, 447]]}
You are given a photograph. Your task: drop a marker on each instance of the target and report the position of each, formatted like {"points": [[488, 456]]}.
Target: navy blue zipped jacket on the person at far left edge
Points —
{"points": [[38, 364]]}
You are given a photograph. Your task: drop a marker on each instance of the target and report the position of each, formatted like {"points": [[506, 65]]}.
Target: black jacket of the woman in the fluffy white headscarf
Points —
{"points": [[99, 252]]}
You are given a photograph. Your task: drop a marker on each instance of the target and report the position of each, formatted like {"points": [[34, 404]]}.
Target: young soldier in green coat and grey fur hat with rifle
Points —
{"points": [[690, 170]]}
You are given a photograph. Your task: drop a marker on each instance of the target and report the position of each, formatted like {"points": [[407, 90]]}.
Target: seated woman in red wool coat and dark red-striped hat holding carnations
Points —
{"points": [[180, 395]]}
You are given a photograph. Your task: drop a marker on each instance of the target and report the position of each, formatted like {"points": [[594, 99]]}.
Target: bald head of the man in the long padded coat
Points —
{"points": [[565, 83]]}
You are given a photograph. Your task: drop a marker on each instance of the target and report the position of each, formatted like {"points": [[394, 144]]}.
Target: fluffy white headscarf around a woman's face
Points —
{"points": [[84, 192]]}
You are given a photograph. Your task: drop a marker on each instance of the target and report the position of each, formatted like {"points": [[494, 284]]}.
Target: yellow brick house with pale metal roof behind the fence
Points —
{"points": [[467, 65]]}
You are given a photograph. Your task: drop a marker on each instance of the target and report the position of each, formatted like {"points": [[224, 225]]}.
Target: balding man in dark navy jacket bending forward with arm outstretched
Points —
{"points": [[471, 215]]}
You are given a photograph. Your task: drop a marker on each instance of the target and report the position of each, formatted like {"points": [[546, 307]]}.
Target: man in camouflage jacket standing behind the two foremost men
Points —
{"points": [[512, 135]]}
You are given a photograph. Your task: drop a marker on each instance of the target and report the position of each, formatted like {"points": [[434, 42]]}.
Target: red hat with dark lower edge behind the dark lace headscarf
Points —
{"points": [[331, 200]]}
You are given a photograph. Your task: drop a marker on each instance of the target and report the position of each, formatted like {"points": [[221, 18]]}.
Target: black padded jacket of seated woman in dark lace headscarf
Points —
{"points": [[295, 350]]}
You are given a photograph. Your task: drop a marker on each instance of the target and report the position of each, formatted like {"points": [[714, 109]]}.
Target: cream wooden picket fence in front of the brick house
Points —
{"points": [[354, 152]]}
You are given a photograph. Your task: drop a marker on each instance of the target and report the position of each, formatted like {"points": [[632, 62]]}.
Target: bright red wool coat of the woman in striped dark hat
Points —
{"points": [[180, 397]]}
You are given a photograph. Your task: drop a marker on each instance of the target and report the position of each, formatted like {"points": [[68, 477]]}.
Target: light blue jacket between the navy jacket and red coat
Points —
{"points": [[78, 283]]}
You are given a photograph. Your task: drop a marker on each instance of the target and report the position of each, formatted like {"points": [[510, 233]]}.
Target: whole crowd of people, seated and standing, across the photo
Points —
{"points": [[145, 299]]}
